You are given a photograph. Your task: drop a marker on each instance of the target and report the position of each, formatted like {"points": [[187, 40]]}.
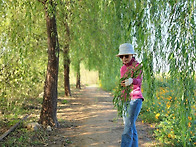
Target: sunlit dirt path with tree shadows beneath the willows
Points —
{"points": [[89, 119]]}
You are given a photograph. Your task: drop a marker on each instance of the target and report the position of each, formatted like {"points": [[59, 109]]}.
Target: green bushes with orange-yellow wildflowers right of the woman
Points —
{"points": [[174, 116]]}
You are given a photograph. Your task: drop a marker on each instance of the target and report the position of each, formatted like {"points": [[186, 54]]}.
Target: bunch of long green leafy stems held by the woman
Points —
{"points": [[122, 94]]}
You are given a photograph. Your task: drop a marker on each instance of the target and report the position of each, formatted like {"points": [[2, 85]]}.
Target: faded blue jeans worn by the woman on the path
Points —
{"points": [[129, 136]]}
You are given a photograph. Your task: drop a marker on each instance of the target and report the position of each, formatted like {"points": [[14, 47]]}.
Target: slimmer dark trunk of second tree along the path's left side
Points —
{"points": [[66, 72]]}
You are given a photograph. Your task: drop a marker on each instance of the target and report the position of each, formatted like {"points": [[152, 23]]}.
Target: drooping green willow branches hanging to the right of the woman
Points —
{"points": [[163, 33]]}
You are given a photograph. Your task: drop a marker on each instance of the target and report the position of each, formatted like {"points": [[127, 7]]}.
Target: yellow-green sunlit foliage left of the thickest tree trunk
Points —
{"points": [[21, 65]]}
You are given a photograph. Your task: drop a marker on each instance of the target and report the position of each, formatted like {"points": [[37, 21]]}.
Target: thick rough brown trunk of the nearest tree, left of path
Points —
{"points": [[49, 107]]}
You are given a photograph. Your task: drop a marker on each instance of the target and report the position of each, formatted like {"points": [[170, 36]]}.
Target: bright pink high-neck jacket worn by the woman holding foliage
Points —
{"points": [[137, 82]]}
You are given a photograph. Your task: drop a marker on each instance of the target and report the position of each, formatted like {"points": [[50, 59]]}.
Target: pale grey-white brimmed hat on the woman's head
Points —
{"points": [[126, 49]]}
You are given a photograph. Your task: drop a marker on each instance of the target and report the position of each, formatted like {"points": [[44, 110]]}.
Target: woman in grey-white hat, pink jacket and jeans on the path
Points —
{"points": [[133, 104]]}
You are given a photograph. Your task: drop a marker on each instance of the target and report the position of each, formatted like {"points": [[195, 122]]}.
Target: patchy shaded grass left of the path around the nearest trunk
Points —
{"points": [[21, 136]]}
